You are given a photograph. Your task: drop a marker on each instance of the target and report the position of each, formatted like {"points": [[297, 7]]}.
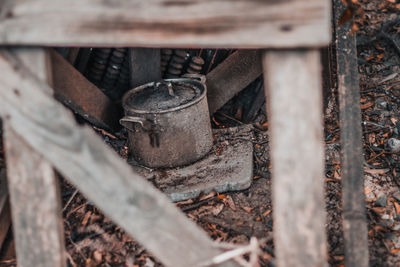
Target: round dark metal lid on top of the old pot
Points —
{"points": [[163, 95]]}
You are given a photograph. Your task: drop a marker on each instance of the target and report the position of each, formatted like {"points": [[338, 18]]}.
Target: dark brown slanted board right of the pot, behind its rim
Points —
{"points": [[232, 76]]}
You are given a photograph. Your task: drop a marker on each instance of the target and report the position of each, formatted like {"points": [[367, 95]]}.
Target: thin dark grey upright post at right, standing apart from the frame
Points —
{"points": [[354, 215]]}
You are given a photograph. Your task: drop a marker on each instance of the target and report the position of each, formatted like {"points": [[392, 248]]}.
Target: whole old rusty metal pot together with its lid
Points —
{"points": [[168, 122]]}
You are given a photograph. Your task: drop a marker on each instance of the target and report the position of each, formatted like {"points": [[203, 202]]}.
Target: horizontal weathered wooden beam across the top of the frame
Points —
{"points": [[157, 23]]}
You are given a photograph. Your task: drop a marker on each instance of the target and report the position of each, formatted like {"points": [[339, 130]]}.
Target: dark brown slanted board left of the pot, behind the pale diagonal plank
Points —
{"points": [[76, 92]]}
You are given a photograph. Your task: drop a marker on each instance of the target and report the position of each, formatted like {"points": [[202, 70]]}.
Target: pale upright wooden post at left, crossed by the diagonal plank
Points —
{"points": [[35, 199]]}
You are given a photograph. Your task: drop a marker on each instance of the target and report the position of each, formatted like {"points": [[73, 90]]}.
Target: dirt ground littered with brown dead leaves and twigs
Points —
{"points": [[93, 240]]}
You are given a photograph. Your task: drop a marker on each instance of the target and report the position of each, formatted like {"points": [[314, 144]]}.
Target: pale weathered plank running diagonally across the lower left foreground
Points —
{"points": [[98, 172]]}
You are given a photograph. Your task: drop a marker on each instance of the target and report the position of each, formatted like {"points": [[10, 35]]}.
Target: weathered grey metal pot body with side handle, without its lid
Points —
{"points": [[170, 138]]}
